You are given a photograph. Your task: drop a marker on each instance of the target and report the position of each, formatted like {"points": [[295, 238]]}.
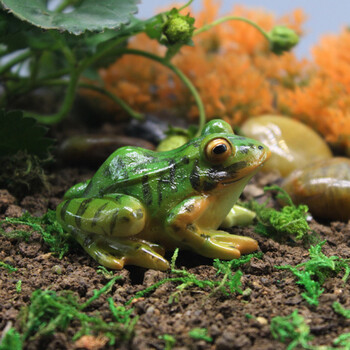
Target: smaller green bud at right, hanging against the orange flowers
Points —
{"points": [[282, 39]]}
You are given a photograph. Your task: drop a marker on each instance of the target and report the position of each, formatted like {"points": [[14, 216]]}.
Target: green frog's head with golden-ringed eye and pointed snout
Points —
{"points": [[226, 158]]}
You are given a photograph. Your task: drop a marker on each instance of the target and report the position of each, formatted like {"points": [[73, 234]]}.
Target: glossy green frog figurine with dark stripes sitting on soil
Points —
{"points": [[141, 202]]}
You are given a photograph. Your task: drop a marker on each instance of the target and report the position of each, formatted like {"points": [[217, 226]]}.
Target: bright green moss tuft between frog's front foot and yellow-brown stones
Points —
{"points": [[290, 221]]}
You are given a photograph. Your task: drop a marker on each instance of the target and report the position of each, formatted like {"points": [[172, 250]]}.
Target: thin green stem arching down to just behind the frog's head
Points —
{"points": [[182, 77]]}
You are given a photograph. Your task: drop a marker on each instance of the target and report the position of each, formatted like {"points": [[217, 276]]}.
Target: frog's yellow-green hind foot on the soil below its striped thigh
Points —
{"points": [[114, 253]]}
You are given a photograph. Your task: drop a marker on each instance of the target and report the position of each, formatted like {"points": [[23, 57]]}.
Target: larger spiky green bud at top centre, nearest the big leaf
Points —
{"points": [[178, 28]]}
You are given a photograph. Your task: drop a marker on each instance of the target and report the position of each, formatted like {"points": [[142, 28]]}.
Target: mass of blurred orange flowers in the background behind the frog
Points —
{"points": [[238, 77]]}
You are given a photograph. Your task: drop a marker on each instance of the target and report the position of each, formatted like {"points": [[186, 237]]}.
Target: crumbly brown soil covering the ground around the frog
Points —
{"points": [[234, 322]]}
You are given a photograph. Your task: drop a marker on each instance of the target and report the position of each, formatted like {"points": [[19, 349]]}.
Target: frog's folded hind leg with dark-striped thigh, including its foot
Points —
{"points": [[105, 228]]}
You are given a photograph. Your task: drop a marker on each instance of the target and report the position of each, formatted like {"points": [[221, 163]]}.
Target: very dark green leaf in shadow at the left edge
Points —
{"points": [[18, 133]]}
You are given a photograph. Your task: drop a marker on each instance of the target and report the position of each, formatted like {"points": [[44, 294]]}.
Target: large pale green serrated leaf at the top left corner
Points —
{"points": [[87, 15]]}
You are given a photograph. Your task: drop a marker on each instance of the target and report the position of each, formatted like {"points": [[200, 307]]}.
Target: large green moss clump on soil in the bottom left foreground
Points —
{"points": [[50, 312]]}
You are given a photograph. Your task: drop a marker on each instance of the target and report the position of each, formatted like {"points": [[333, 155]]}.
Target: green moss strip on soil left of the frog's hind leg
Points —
{"points": [[51, 231]]}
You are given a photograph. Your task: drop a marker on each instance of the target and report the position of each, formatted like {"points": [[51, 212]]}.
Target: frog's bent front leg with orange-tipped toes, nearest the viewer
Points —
{"points": [[183, 225]]}
